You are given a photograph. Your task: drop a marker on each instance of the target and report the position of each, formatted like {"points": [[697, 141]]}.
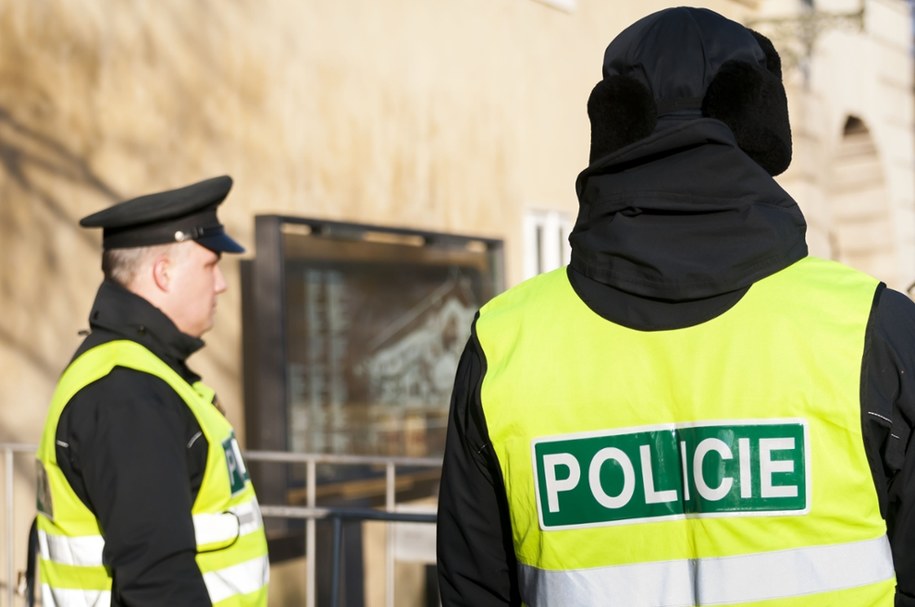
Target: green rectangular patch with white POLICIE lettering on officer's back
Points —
{"points": [[713, 469]]}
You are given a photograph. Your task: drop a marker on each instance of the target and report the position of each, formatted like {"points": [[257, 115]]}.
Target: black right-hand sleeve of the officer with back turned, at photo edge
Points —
{"points": [[888, 417]]}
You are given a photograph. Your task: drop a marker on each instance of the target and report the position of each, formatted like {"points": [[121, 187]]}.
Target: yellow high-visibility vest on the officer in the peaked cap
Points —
{"points": [[231, 545]]}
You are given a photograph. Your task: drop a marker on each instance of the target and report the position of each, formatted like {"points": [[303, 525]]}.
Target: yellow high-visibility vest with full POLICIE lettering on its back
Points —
{"points": [[717, 464]]}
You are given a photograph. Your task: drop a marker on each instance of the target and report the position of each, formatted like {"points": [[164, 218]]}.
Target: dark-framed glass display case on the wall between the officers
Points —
{"points": [[353, 334]]}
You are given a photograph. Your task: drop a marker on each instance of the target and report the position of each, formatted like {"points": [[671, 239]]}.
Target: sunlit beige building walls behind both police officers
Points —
{"points": [[435, 114]]}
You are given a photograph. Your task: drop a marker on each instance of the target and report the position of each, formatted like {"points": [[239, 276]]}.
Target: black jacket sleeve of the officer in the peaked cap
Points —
{"points": [[127, 445]]}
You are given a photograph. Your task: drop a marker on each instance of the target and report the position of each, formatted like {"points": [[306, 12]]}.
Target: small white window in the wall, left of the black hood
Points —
{"points": [[546, 241]]}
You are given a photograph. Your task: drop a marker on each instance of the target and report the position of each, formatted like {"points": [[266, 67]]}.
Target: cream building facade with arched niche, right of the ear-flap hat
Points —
{"points": [[858, 192]]}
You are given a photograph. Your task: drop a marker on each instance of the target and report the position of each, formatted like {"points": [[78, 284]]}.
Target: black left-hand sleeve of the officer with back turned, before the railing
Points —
{"points": [[476, 560]]}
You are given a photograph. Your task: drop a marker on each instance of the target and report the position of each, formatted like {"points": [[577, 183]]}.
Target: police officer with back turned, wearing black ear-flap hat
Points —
{"points": [[695, 411]]}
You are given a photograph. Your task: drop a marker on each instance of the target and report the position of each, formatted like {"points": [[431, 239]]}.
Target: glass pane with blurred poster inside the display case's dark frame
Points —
{"points": [[374, 331]]}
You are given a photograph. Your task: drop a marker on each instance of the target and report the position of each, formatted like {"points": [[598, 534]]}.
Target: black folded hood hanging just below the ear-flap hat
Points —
{"points": [[683, 214]]}
